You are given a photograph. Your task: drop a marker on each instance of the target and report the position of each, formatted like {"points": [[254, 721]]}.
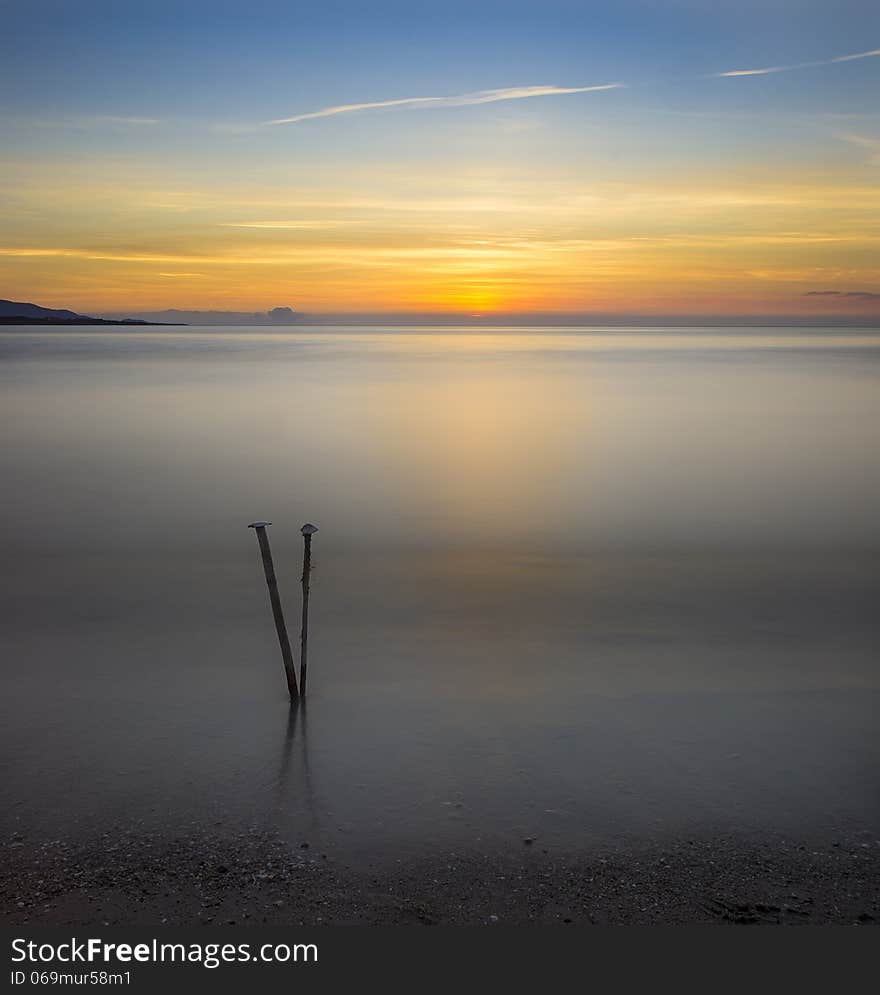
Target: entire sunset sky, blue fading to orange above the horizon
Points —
{"points": [[626, 157]]}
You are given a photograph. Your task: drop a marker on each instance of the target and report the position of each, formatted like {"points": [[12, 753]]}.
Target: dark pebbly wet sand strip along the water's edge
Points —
{"points": [[255, 879]]}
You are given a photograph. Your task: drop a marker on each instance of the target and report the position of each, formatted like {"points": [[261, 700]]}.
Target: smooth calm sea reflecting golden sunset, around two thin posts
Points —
{"points": [[576, 585]]}
